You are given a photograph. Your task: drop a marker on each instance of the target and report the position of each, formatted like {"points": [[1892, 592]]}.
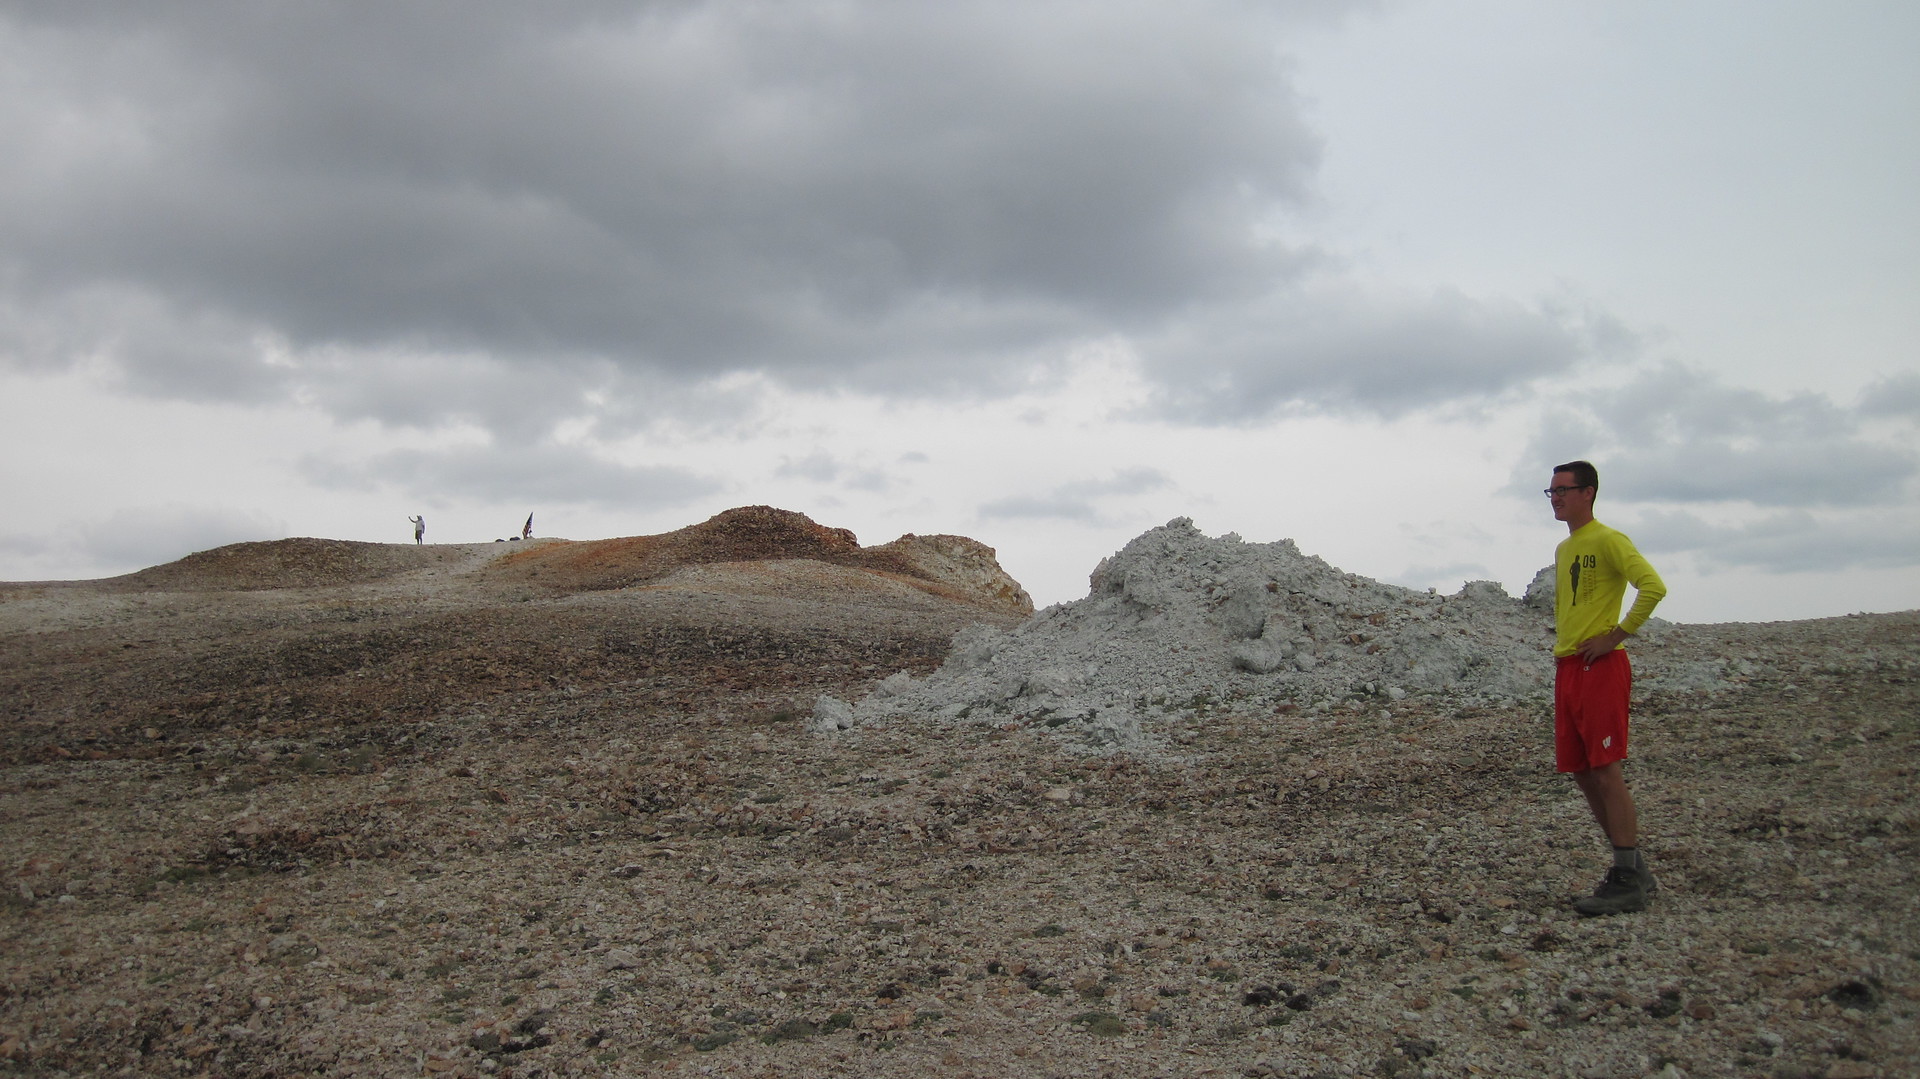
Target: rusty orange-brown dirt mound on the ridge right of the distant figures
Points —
{"points": [[953, 567]]}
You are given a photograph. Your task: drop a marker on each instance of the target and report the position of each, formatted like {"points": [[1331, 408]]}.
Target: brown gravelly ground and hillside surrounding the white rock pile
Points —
{"points": [[558, 813]]}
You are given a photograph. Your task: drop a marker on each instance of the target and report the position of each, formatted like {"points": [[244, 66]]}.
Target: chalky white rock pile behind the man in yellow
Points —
{"points": [[1180, 621]]}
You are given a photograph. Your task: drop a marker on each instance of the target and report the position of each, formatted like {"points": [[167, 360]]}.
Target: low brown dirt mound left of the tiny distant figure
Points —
{"points": [[283, 563]]}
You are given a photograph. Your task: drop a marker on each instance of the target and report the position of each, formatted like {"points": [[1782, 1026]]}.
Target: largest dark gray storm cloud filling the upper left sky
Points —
{"points": [[398, 210]]}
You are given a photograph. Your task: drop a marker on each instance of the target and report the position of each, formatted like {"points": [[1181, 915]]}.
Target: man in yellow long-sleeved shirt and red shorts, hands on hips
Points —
{"points": [[1593, 679]]}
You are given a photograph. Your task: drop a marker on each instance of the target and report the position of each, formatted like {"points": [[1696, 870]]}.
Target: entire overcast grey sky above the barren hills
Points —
{"points": [[1038, 274]]}
